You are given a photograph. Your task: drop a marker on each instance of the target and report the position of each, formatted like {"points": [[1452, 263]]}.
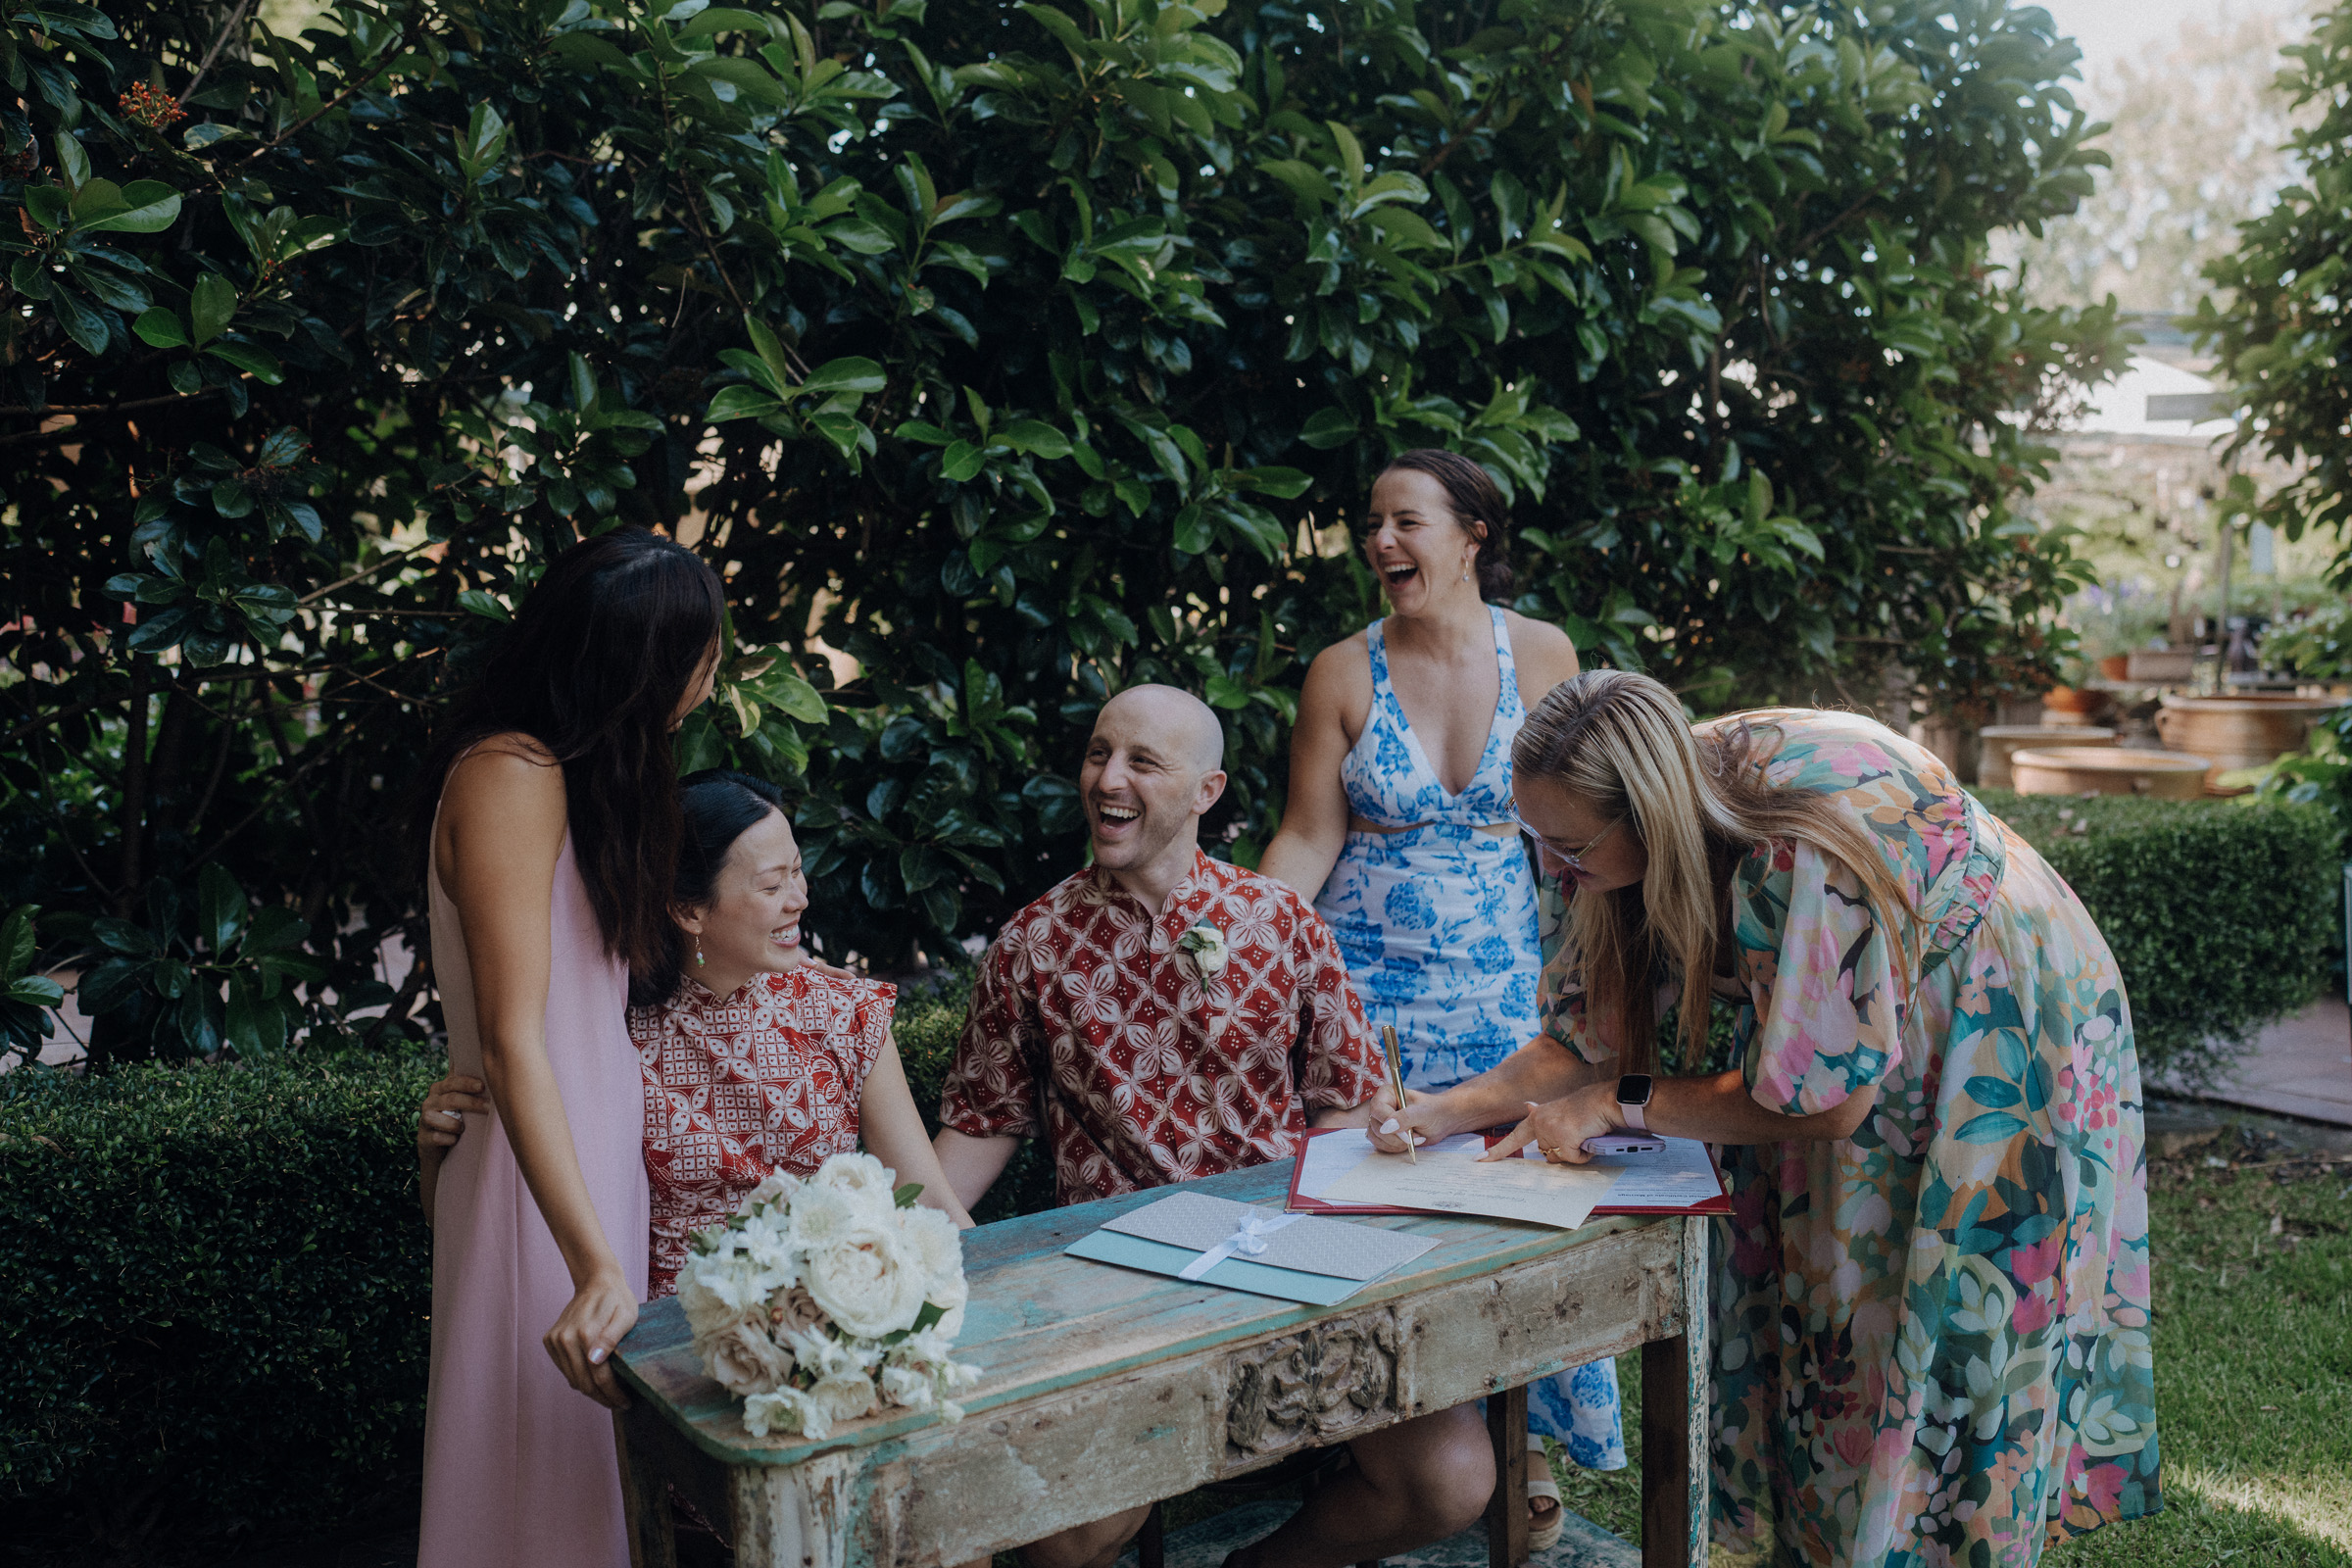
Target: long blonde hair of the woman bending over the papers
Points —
{"points": [[1697, 805]]}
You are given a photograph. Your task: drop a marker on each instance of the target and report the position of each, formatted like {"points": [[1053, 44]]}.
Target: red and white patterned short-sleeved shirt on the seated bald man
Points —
{"points": [[1156, 1073]]}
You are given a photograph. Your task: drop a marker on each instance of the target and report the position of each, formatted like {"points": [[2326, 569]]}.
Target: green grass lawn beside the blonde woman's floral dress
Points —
{"points": [[2254, 1376]]}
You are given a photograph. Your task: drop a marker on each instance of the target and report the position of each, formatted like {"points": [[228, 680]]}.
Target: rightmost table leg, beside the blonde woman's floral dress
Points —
{"points": [[1676, 1421]]}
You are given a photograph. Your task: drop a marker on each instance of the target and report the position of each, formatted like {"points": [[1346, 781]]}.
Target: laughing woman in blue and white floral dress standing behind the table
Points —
{"points": [[1401, 829]]}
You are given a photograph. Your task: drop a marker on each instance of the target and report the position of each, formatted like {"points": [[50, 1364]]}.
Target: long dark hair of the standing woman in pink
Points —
{"points": [[594, 669]]}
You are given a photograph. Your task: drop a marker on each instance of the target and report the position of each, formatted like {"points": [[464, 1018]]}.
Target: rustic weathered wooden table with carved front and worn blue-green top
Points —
{"points": [[1107, 1388]]}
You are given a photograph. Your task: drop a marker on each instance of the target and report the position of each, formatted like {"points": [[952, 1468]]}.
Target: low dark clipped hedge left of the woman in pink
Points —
{"points": [[213, 1294]]}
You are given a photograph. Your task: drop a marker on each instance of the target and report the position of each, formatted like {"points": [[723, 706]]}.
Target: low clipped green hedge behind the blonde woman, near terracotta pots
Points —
{"points": [[2219, 913]]}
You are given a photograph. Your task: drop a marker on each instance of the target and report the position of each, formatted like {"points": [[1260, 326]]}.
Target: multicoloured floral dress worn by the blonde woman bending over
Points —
{"points": [[1930, 1339]]}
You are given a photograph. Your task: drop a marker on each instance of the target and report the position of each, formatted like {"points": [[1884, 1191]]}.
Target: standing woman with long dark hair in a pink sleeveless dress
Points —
{"points": [[552, 857]]}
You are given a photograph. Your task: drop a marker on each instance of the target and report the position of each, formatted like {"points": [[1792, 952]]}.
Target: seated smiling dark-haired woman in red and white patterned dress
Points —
{"points": [[756, 1059]]}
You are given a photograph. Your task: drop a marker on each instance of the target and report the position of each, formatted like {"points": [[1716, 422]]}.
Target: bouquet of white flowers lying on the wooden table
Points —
{"points": [[827, 1299]]}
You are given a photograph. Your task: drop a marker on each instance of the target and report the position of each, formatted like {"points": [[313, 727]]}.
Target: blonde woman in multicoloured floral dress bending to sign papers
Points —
{"points": [[1932, 1299]]}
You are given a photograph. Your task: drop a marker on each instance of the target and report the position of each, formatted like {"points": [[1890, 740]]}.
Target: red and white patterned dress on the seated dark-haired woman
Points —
{"points": [[747, 1085]]}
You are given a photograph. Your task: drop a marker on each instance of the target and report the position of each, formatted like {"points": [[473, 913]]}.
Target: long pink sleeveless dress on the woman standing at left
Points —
{"points": [[519, 1468]]}
